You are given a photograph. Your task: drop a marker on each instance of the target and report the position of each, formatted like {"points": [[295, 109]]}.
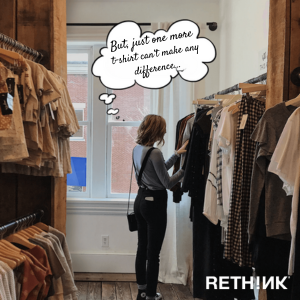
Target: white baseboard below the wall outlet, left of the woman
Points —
{"points": [[104, 263]]}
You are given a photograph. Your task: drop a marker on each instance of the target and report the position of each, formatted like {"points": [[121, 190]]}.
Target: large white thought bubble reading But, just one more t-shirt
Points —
{"points": [[152, 60]]}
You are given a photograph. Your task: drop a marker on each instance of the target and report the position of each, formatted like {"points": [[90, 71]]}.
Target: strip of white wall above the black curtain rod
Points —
{"points": [[114, 11]]}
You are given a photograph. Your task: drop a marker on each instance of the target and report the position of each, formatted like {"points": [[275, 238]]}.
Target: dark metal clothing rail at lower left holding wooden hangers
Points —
{"points": [[21, 223]]}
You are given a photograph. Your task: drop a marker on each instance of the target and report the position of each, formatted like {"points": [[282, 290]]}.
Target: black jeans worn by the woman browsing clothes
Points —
{"points": [[151, 219]]}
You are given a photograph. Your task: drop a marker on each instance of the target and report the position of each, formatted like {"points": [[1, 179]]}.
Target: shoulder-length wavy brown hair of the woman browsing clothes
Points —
{"points": [[151, 130]]}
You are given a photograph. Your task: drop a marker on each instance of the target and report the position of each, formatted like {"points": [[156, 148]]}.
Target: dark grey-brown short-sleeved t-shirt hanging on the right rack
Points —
{"points": [[277, 203]]}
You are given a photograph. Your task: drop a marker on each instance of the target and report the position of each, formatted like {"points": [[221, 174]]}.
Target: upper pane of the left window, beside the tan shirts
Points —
{"points": [[78, 82]]}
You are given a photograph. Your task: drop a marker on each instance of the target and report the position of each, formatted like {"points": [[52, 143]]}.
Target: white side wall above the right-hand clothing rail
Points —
{"points": [[243, 29]]}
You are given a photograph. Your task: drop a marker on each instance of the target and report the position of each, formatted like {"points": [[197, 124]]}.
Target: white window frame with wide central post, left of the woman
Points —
{"points": [[98, 167]]}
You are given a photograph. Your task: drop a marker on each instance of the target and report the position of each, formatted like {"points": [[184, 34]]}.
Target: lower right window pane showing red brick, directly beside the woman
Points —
{"points": [[123, 142]]}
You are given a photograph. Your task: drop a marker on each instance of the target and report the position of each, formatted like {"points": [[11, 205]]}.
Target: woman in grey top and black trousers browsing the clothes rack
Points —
{"points": [[150, 205]]}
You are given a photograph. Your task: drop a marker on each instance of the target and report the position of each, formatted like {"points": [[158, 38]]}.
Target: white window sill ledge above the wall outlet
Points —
{"points": [[92, 206]]}
